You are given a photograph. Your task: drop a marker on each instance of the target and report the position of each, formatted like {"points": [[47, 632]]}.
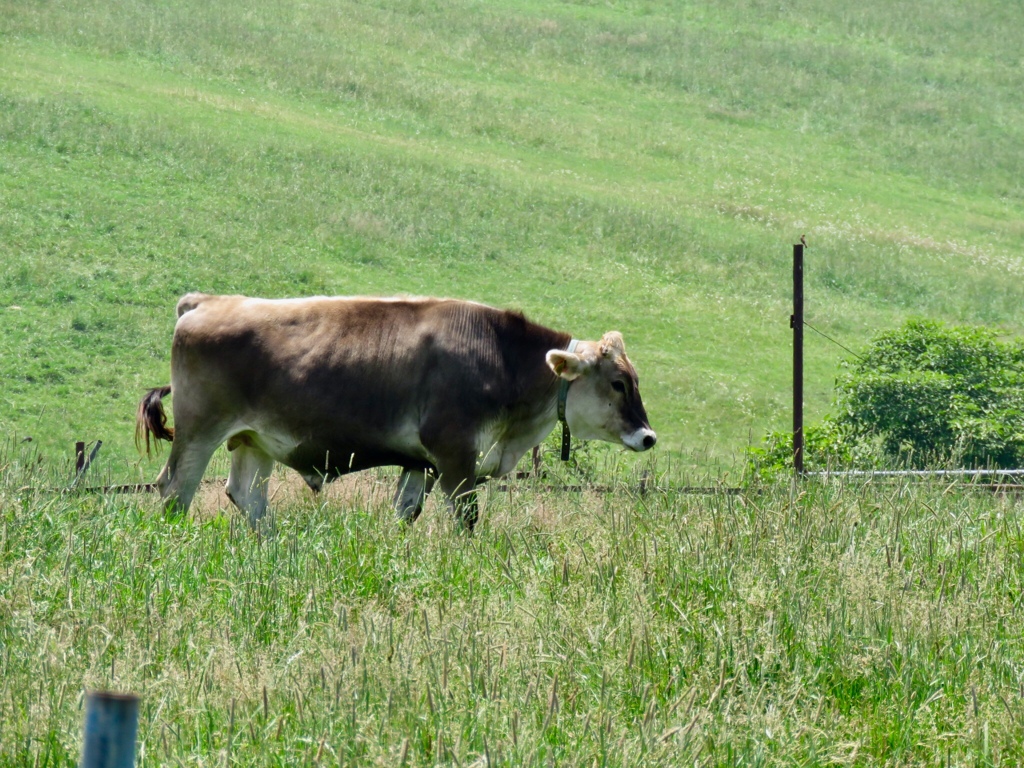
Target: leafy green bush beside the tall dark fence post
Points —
{"points": [[922, 396]]}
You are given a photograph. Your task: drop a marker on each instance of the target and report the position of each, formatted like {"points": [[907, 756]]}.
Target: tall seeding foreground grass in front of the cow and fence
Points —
{"points": [[843, 625]]}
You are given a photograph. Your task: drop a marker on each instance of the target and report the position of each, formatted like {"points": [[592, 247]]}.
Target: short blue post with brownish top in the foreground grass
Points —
{"points": [[111, 724]]}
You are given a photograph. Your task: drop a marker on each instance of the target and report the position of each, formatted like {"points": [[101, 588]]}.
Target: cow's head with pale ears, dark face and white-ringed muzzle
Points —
{"points": [[604, 402]]}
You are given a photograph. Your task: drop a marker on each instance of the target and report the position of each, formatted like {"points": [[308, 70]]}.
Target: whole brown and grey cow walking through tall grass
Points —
{"points": [[451, 392]]}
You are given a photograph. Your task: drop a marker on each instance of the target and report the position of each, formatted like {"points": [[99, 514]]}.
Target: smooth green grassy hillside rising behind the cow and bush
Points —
{"points": [[634, 165]]}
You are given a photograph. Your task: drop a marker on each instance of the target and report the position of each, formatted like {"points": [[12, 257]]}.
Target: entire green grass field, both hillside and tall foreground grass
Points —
{"points": [[637, 165]]}
